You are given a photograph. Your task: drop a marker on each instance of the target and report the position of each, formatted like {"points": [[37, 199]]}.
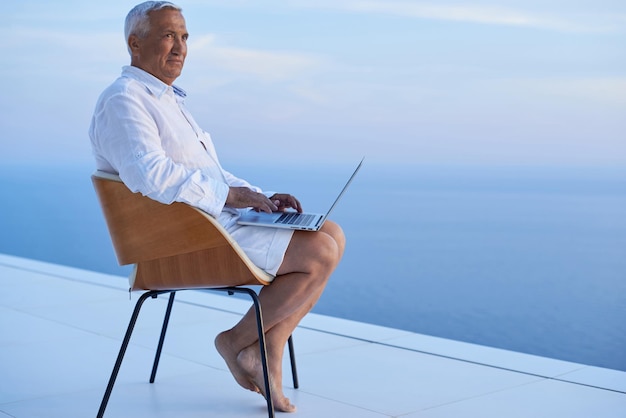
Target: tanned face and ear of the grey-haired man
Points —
{"points": [[162, 52]]}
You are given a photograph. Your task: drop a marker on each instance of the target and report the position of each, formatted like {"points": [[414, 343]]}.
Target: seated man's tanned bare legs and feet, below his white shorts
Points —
{"points": [[299, 283]]}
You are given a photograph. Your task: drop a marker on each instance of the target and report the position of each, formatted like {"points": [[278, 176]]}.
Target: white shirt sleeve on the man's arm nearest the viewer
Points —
{"points": [[126, 135]]}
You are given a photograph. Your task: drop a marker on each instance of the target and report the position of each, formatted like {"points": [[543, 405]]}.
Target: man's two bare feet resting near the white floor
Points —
{"points": [[250, 361]]}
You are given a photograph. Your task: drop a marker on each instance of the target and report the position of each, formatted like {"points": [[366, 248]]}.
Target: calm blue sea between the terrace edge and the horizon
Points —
{"points": [[527, 260]]}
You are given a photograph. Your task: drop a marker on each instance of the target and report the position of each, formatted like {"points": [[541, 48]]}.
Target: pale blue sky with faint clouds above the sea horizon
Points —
{"points": [[508, 82]]}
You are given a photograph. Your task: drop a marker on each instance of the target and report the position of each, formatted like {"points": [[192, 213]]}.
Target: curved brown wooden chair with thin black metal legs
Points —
{"points": [[176, 247]]}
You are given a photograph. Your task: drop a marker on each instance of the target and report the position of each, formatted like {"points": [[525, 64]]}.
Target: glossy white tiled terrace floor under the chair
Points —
{"points": [[61, 328]]}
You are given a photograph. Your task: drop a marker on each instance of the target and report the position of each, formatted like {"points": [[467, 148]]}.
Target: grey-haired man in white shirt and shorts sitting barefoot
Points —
{"points": [[142, 131]]}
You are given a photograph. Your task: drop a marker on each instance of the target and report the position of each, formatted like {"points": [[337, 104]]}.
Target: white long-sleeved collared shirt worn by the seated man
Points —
{"points": [[141, 130]]}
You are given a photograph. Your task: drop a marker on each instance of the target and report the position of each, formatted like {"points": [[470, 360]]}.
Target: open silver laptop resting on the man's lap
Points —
{"points": [[291, 219]]}
